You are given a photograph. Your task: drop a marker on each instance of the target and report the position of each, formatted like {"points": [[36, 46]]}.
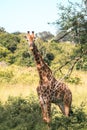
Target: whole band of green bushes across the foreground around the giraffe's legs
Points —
{"points": [[25, 114]]}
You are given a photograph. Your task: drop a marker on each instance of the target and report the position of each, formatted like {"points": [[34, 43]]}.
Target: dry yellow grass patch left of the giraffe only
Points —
{"points": [[22, 82]]}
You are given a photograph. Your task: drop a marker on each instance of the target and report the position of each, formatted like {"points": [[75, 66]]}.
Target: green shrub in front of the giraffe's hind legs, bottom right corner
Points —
{"points": [[77, 121]]}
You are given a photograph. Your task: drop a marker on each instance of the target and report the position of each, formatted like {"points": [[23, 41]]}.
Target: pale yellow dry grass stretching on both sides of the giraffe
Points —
{"points": [[26, 81]]}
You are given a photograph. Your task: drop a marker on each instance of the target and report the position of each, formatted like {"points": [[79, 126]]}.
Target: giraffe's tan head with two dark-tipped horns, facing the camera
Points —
{"points": [[30, 39]]}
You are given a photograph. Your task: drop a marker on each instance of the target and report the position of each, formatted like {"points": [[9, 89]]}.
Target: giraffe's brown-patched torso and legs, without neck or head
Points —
{"points": [[61, 96]]}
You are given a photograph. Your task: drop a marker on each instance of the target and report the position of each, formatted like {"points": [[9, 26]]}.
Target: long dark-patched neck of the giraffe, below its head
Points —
{"points": [[44, 71]]}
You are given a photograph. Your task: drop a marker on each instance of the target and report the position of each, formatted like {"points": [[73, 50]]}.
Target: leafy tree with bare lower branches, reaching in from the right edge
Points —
{"points": [[72, 20]]}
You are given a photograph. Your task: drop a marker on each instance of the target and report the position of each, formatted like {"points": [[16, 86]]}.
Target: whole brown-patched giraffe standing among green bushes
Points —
{"points": [[49, 90]]}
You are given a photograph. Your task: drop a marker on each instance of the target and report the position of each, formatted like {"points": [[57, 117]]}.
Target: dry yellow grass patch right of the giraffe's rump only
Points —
{"points": [[79, 91]]}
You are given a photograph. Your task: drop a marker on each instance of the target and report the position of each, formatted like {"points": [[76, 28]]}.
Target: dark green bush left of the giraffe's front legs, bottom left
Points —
{"points": [[19, 113]]}
